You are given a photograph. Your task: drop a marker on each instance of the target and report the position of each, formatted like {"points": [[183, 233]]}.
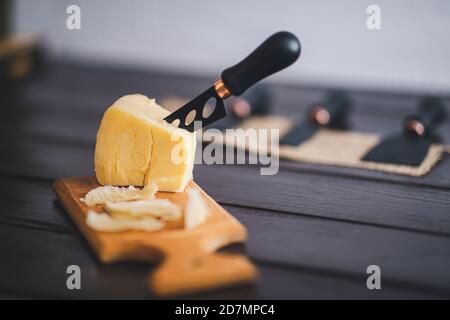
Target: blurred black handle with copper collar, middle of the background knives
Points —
{"points": [[333, 112]]}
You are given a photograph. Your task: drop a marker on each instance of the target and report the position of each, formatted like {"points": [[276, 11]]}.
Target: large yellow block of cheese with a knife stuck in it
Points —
{"points": [[136, 146]]}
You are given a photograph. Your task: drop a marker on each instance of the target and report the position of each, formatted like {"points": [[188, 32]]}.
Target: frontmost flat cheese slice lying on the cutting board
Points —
{"points": [[157, 208]]}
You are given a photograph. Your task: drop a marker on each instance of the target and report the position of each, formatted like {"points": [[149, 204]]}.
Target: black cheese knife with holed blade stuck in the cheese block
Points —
{"points": [[276, 53]]}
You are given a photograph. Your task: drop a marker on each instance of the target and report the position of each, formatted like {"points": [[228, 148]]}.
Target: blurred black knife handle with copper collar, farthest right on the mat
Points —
{"points": [[431, 113]]}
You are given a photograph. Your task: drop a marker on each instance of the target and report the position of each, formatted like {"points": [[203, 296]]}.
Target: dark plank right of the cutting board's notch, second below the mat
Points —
{"points": [[333, 246]]}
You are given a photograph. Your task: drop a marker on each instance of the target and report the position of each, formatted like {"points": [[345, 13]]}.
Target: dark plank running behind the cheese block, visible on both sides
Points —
{"points": [[335, 197]]}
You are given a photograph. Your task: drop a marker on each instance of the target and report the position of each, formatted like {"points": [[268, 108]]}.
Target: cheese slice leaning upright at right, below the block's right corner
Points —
{"points": [[196, 210]]}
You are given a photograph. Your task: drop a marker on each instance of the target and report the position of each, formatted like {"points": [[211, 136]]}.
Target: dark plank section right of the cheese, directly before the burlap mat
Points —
{"points": [[338, 198]]}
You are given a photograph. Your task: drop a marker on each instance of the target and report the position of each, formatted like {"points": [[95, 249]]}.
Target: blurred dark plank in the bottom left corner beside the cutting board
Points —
{"points": [[34, 263]]}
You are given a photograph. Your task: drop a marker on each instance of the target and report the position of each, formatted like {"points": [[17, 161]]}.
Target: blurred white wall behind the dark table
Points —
{"points": [[411, 51]]}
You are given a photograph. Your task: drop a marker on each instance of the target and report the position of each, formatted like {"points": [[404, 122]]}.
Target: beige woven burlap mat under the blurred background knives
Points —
{"points": [[328, 147]]}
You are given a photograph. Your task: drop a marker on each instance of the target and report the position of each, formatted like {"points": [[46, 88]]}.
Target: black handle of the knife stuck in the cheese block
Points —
{"points": [[276, 53]]}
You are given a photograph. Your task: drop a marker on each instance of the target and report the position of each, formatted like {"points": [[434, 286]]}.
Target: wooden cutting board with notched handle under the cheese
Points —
{"points": [[189, 259]]}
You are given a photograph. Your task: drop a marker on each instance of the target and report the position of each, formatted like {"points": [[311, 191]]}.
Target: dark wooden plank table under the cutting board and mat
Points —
{"points": [[313, 229]]}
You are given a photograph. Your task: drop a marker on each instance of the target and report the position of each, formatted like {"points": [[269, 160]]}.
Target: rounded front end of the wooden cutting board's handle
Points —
{"points": [[184, 273]]}
